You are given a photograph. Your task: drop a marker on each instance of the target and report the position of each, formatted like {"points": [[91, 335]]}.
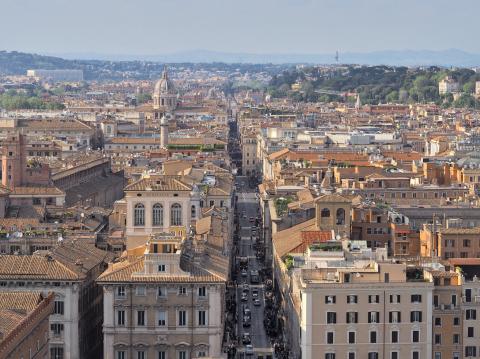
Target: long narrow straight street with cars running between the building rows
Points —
{"points": [[247, 212]]}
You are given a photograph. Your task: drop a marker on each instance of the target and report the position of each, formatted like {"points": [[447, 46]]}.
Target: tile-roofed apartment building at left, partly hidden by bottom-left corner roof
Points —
{"points": [[69, 271]]}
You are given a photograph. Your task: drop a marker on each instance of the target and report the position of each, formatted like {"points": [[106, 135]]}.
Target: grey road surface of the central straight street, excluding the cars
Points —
{"points": [[248, 204]]}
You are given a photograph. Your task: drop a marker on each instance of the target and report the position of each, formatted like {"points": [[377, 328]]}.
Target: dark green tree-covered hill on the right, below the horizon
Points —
{"points": [[375, 84]]}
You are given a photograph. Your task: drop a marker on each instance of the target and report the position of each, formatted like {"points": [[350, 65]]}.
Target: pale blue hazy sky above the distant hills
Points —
{"points": [[156, 27]]}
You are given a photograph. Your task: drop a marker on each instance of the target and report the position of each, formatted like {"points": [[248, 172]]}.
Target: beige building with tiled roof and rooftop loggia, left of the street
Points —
{"points": [[165, 302]]}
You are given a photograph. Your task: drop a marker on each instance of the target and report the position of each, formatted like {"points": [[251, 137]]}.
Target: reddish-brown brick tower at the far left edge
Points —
{"points": [[13, 160]]}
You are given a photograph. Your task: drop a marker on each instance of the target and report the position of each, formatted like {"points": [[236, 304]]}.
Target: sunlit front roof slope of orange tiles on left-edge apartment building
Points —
{"points": [[34, 267]]}
